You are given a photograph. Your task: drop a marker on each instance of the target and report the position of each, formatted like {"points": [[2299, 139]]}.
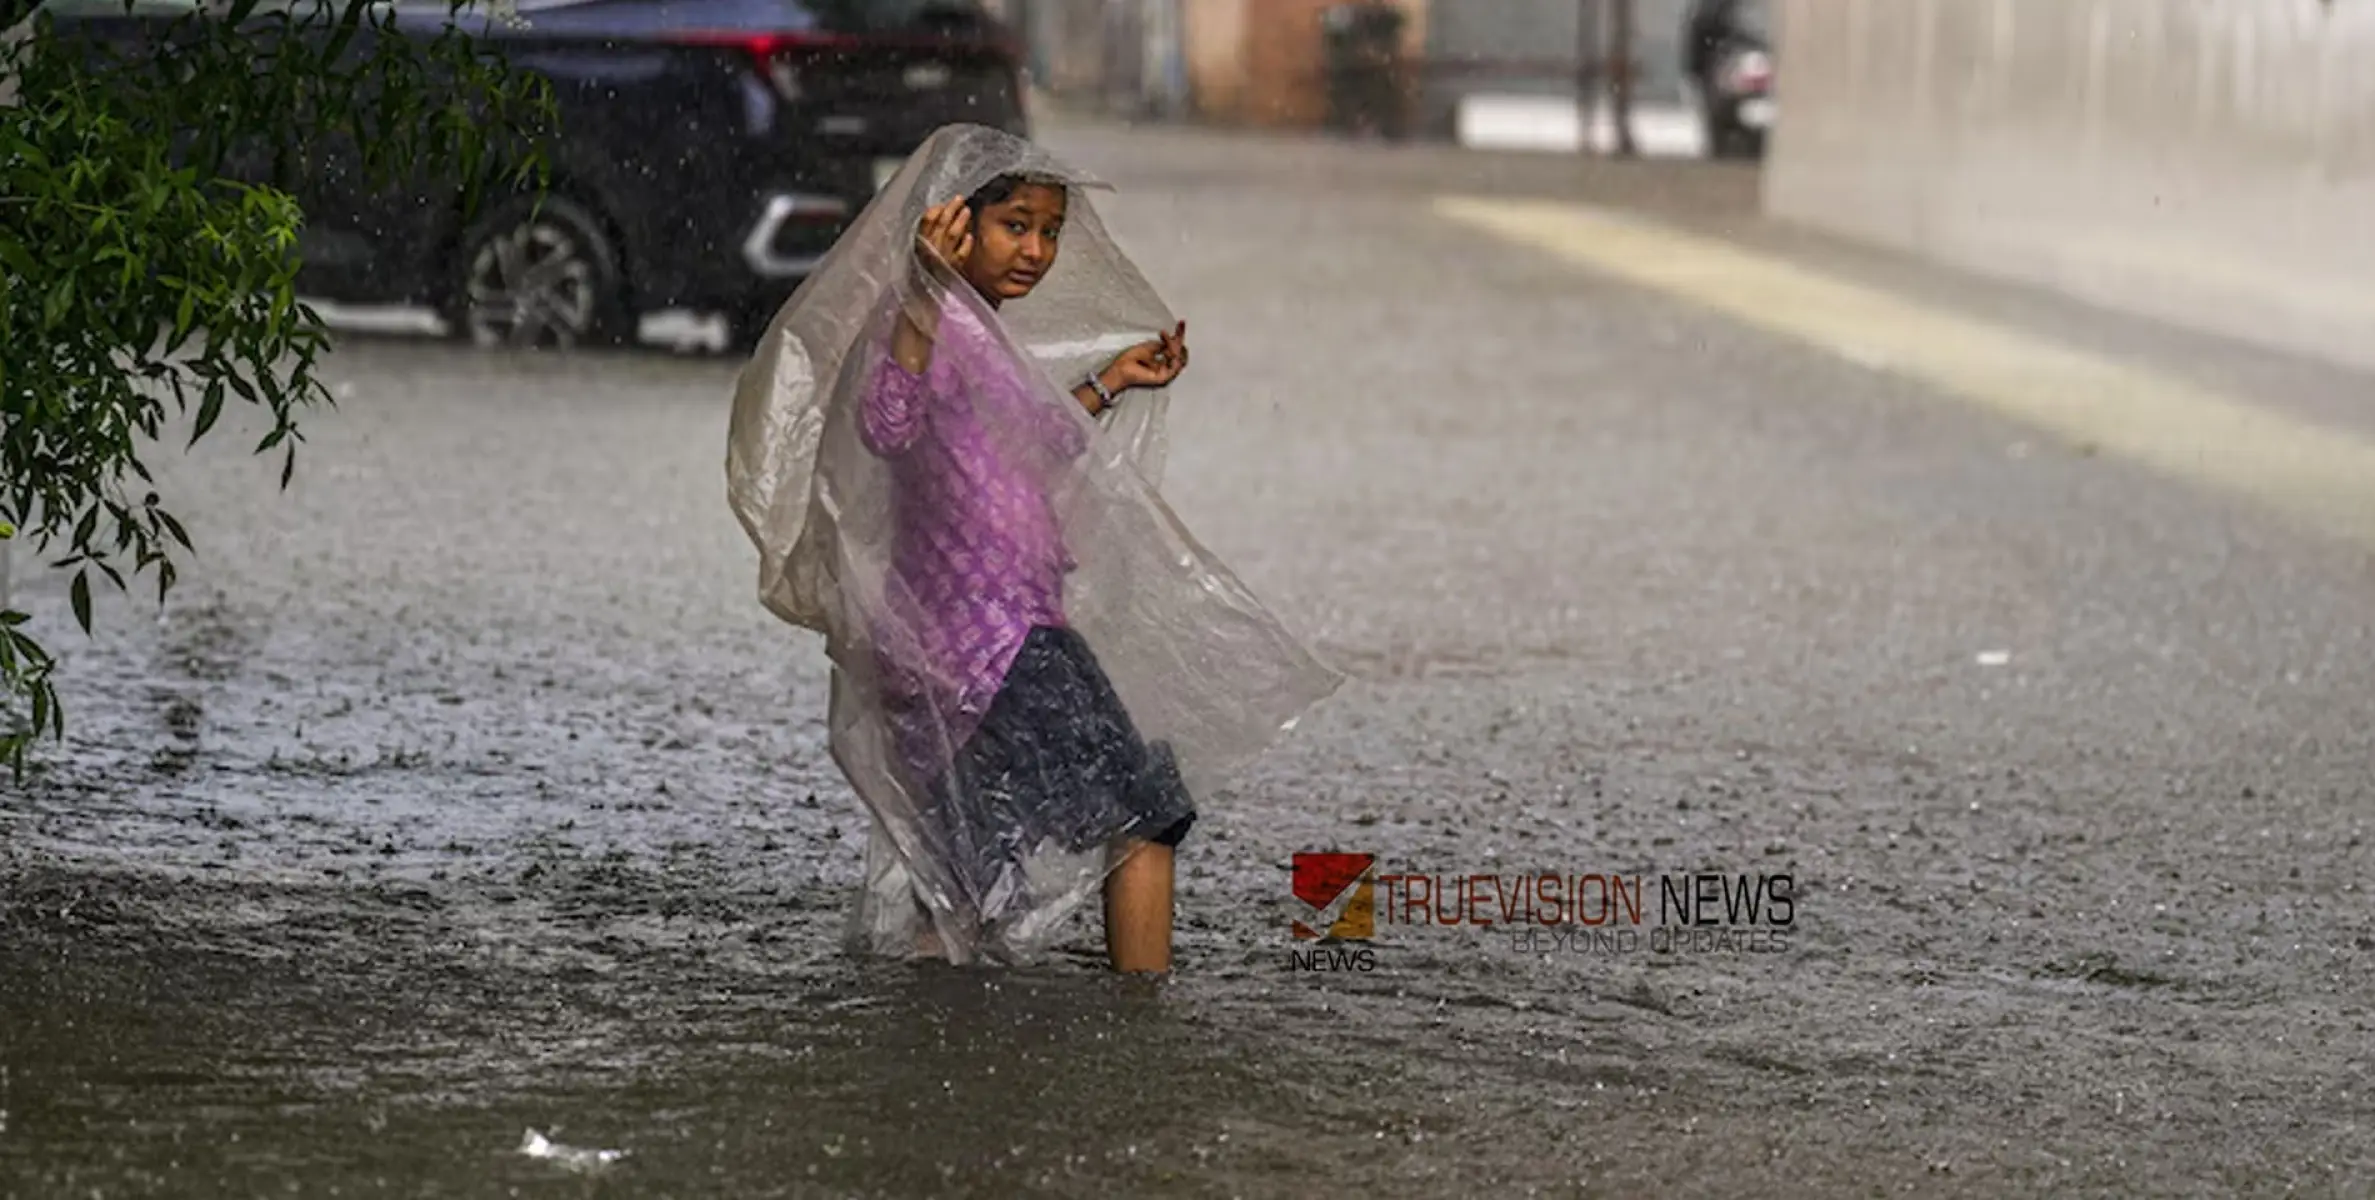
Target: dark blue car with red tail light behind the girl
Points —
{"points": [[709, 156]]}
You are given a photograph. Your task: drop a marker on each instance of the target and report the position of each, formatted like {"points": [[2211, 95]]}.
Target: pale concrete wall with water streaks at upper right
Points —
{"points": [[2208, 163]]}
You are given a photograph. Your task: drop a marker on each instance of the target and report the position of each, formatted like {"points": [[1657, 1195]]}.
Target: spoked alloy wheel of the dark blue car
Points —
{"points": [[540, 274]]}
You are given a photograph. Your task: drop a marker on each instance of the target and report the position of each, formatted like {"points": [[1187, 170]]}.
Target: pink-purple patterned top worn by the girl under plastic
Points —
{"points": [[977, 555]]}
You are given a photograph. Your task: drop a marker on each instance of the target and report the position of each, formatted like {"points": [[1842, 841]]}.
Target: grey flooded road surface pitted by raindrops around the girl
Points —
{"points": [[464, 790]]}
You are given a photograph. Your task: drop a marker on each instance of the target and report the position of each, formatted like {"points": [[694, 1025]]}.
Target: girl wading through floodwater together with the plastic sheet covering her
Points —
{"points": [[946, 455]]}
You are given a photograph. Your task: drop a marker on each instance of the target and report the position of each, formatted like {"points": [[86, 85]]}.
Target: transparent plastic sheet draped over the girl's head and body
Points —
{"points": [[825, 479]]}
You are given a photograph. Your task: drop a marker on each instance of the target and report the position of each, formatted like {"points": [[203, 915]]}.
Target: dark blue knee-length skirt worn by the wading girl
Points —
{"points": [[1056, 759]]}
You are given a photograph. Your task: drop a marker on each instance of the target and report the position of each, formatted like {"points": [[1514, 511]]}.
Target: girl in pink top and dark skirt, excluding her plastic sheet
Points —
{"points": [[980, 579]]}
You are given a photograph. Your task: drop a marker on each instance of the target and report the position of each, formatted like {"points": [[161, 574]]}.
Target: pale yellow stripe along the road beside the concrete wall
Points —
{"points": [[2314, 474]]}
